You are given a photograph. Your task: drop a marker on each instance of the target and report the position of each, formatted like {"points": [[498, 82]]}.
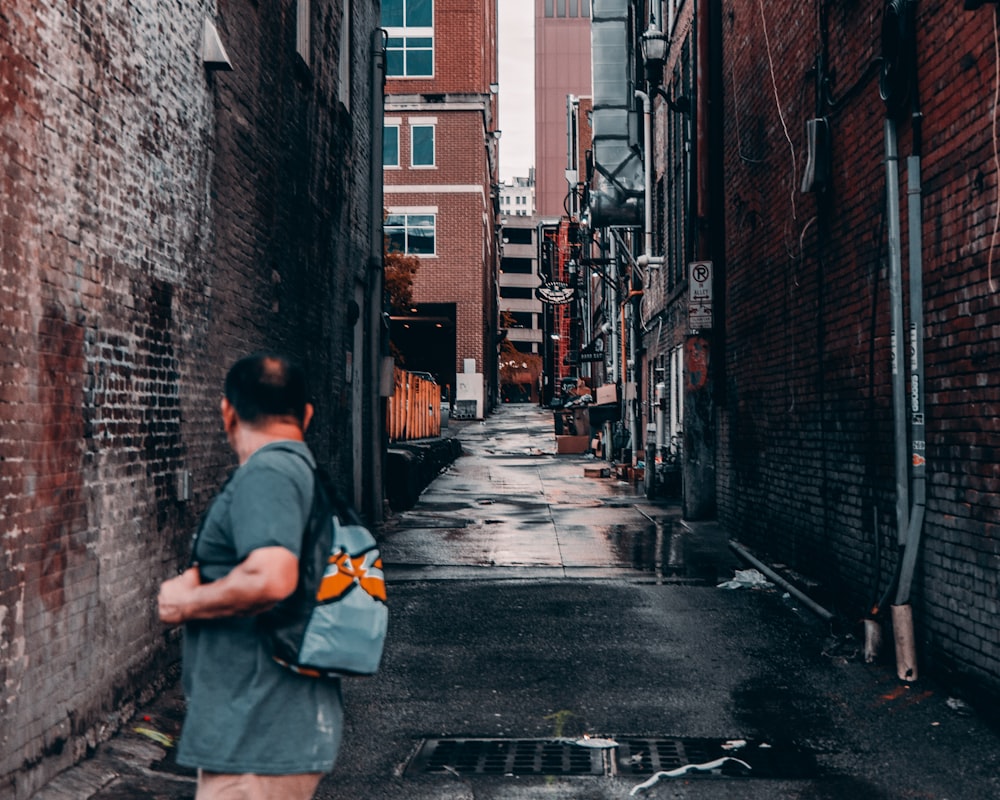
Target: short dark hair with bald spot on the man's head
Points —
{"points": [[264, 385]]}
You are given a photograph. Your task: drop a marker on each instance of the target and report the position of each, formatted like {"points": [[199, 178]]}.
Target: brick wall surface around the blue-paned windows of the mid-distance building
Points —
{"points": [[463, 269]]}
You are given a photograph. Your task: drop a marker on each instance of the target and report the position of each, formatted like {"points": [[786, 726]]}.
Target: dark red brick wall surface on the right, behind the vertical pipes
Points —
{"points": [[805, 464]]}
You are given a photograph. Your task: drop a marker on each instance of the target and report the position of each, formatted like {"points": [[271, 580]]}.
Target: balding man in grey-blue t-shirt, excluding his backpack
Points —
{"points": [[254, 730]]}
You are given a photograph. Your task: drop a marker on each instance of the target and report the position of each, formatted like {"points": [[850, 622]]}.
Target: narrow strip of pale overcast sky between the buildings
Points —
{"points": [[516, 41]]}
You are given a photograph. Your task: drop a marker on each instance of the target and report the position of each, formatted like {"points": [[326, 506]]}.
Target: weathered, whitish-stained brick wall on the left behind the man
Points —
{"points": [[157, 222]]}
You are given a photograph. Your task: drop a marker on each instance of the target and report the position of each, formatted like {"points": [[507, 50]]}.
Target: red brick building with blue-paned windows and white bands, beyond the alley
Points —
{"points": [[441, 186]]}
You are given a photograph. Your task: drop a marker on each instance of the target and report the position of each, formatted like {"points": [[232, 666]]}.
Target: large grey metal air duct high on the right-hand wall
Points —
{"points": [[616, 197]]}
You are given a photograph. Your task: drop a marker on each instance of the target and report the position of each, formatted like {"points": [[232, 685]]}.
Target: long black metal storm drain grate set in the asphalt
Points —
{"points": [[622, 755]]}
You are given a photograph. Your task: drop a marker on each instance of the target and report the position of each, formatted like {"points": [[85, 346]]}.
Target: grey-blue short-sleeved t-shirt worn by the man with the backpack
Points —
{"points": [[245, 712]]}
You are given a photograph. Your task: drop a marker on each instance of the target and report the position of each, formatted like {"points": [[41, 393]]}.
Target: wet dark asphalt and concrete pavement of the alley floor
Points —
{"points": [[532, 607]]}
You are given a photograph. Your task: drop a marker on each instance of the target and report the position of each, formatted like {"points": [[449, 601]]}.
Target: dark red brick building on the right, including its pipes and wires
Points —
{"points": [[777, 166]]}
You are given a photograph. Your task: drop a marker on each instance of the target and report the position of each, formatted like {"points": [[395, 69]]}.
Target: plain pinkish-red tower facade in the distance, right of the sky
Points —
{"points": [[562, 68]]}
